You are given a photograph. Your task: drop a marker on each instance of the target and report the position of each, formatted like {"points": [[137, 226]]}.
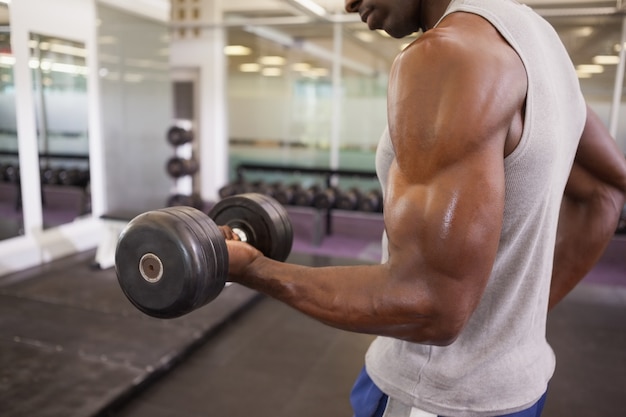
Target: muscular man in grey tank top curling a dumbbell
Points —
{"points": [[501, 191]]}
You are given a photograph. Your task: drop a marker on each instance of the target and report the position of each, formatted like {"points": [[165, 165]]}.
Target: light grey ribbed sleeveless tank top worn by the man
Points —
{"points": [[501, 363]]}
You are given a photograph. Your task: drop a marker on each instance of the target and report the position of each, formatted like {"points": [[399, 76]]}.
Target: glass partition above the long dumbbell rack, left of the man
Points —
{"points": [[281, 95]]}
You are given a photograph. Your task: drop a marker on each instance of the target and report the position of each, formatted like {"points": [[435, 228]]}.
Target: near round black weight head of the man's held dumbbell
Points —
{"points": [[171, 261]]}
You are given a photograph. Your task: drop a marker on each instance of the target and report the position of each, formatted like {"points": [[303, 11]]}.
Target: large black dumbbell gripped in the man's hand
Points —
{"points": [[172, 261]]}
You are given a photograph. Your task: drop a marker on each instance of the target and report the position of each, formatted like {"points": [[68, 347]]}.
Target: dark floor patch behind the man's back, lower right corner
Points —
{"points": [[588, 333]]}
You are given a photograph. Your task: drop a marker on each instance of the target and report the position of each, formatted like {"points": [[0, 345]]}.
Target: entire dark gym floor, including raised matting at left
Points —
{"points": [[71, 345]]}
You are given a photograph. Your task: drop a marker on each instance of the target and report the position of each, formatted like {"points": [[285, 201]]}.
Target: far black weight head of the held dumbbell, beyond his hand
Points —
{"points": [[264, 221]]}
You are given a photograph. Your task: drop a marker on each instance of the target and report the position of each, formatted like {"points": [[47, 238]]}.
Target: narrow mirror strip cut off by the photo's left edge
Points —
{"points": [[11, 221]]}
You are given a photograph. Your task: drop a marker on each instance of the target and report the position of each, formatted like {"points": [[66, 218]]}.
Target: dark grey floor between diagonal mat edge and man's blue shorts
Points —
{"points": [[271, 362]]}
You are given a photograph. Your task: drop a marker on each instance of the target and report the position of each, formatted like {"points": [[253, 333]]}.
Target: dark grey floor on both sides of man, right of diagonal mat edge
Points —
{"points": [[275, 362]]}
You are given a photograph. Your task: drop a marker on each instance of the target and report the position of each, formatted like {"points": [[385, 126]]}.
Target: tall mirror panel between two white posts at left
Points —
{"points": [[59, 74]]}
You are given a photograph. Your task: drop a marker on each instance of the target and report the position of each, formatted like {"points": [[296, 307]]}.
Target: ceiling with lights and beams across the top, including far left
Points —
{"points": [[587, 27]]}
